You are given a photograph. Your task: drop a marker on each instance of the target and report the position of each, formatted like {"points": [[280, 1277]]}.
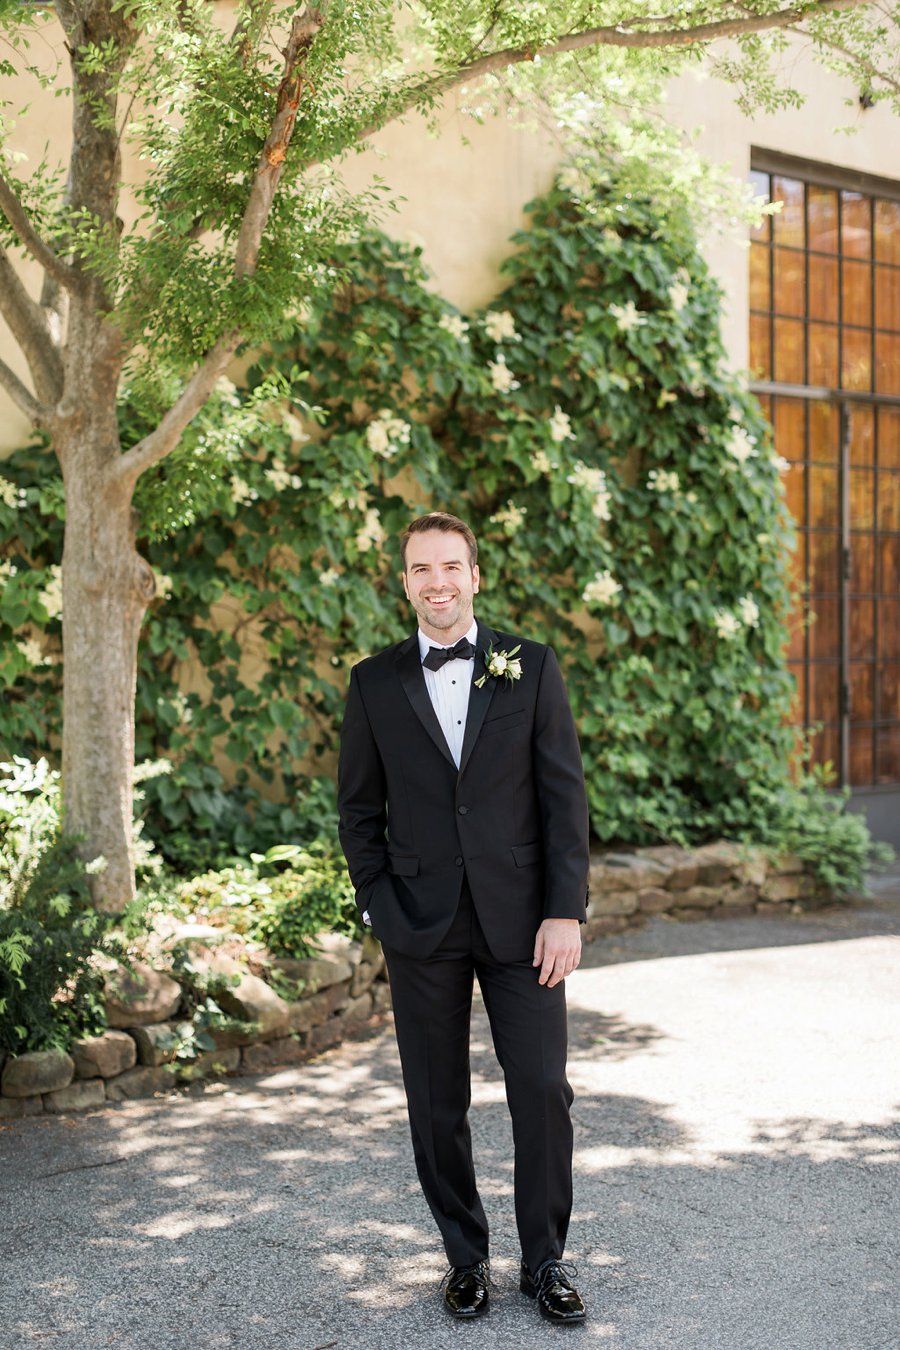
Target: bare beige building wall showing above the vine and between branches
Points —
{"points": [[462, 202]]}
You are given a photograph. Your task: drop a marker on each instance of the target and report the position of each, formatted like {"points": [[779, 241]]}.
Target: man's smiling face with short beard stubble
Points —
{"points": [[441, 584]]}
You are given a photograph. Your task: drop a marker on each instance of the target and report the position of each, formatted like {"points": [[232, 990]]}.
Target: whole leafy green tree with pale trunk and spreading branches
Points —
{"points": [[238, 218]]}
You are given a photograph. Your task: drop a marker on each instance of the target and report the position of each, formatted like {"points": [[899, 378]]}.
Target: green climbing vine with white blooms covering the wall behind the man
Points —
{"points": [[620, 480]]}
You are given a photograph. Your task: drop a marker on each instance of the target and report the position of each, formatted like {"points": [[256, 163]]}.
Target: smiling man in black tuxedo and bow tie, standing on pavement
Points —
{"points": [[463, 819]]}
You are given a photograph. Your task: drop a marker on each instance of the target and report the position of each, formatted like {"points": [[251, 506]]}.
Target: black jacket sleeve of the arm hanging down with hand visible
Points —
{"points": [[561, 790]]}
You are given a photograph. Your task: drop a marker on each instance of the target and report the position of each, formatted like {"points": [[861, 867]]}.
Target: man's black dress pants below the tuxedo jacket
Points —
{"points": [[432, 1010]]}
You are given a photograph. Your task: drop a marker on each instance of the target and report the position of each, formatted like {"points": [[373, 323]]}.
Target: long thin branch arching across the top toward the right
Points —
{"points": [[619, 36]]}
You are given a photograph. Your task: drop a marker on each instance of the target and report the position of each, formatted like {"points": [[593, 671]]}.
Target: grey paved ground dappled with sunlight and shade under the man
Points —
{"points": [[737, 1133]]}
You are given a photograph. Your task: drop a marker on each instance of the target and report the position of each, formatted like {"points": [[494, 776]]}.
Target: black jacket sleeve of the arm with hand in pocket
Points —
{"points": [[362, 797]]}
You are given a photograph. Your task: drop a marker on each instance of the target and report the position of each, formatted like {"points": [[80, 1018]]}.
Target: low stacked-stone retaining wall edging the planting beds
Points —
{"points": [[345, 989]]}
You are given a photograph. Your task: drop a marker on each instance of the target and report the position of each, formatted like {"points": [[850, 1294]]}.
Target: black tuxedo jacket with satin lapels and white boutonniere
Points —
{"points": [[513, 819]]}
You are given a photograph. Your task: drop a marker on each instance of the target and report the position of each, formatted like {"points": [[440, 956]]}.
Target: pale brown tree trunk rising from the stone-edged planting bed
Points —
{"points": [[106, 591]]}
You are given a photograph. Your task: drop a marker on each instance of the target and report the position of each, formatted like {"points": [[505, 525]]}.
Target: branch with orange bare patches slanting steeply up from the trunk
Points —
{"points": [[269, 171]]}
